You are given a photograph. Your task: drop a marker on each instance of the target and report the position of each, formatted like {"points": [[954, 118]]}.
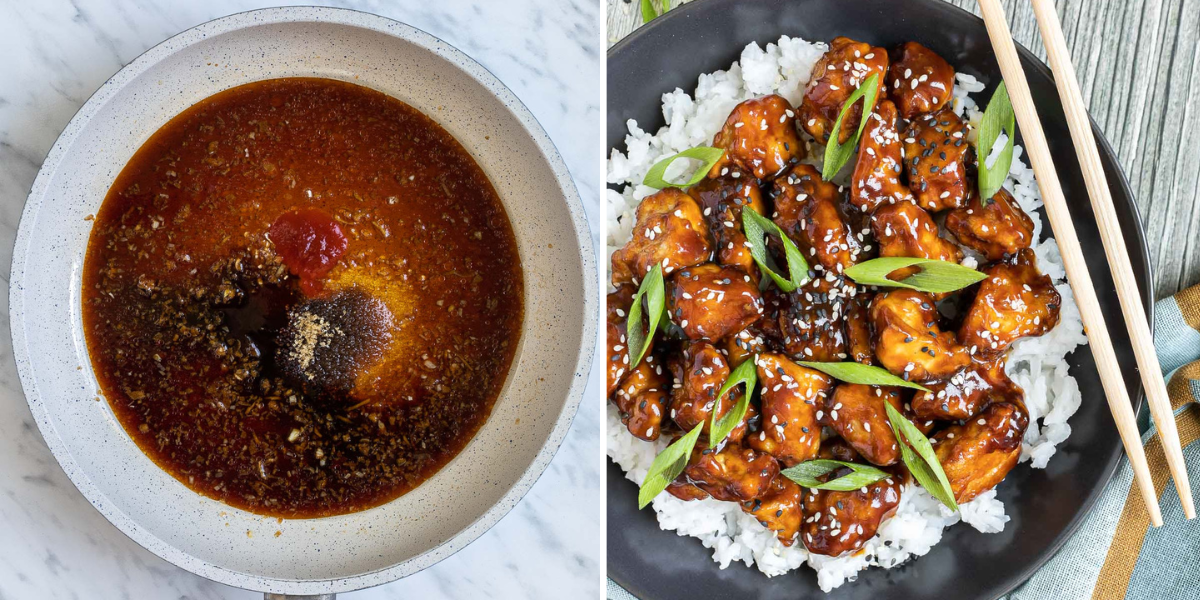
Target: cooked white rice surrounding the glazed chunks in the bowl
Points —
{"points": [[1039, 365]]}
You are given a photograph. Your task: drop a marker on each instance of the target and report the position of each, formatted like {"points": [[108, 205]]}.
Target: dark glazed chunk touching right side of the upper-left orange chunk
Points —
{"points": [[722, 202]]}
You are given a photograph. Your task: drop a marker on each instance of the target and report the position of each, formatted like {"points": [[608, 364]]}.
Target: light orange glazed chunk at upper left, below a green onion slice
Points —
{"points": [[670, 232]]}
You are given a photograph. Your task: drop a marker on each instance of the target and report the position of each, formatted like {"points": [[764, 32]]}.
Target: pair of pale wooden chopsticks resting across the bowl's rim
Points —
{"points": [[1073, 256]]}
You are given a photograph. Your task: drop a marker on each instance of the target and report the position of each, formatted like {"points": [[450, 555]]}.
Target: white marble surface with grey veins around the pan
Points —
{"points": [[56, 53]]}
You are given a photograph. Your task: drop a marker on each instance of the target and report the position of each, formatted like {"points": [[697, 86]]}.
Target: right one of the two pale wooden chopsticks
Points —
{"points": [[1114, 248]]}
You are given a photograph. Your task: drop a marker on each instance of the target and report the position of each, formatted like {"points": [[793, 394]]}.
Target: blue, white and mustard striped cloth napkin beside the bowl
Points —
{"points": [[1115, 554]]}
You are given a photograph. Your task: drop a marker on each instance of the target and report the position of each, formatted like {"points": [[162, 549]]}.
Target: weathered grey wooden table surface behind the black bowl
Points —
{"points": [[1138, 62]]}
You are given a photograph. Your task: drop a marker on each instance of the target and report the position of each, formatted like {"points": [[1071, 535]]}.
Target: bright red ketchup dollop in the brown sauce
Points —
{"points": [[310, 243]]}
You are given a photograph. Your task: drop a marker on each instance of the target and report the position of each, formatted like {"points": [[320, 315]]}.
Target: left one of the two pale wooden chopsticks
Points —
{"points": [[1072, 254]]}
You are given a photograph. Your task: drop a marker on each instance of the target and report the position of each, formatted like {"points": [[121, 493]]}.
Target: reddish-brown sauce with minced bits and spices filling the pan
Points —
{"points": [[302, 298]]}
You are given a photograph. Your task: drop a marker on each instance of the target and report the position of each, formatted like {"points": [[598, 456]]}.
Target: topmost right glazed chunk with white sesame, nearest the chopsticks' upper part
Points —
{"points": [[922, 82]]}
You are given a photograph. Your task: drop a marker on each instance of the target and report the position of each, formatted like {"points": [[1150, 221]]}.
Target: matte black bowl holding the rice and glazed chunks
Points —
{"points": [[1046, 506]]}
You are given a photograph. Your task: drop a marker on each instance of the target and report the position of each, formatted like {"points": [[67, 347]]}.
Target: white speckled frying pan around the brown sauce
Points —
{"points": [[475, 490]]}
